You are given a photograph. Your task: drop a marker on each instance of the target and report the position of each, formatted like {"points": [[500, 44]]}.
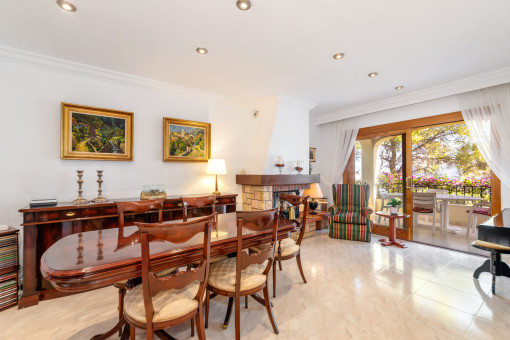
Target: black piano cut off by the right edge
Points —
{"points": [[495, 231]]}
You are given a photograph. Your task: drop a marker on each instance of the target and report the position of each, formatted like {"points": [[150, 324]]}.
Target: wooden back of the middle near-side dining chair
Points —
{"points": [[258, 221]]}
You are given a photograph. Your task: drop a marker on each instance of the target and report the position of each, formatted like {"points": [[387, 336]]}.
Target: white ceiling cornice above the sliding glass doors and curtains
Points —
{"points": [[477, 82]]}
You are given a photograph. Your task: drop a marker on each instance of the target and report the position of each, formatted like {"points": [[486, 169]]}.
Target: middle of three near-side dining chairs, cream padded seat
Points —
{"points": [[246, 274]]}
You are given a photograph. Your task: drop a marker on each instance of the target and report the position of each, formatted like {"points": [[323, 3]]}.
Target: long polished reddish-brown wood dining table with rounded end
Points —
{"points": [[94, 259]]}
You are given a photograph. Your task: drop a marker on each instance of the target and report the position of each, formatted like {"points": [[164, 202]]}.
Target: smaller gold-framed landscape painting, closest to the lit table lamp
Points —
{"points": [[186, 140]]}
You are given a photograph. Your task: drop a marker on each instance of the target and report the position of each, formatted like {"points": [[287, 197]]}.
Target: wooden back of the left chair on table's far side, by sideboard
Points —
{"points": [[135, 207]]}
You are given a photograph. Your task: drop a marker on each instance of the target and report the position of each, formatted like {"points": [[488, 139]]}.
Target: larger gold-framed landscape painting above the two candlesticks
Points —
{"points": [[93, 133]]}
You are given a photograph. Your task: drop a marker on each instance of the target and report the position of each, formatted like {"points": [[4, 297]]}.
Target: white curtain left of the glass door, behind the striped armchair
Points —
{"points": [[336, 144]]}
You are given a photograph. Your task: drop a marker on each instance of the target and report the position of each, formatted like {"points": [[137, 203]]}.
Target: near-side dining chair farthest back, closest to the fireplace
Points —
{"points": [[289, 248]]}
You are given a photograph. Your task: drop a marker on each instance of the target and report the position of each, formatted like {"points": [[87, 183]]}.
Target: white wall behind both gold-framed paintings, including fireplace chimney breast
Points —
{"points": [[30, 138]]}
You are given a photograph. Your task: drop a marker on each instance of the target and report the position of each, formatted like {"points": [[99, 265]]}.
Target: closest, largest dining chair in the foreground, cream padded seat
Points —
{"points": [[162, 302]]}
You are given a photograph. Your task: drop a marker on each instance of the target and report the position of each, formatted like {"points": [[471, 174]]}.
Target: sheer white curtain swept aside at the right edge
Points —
{"points": [[487, 116]]}
